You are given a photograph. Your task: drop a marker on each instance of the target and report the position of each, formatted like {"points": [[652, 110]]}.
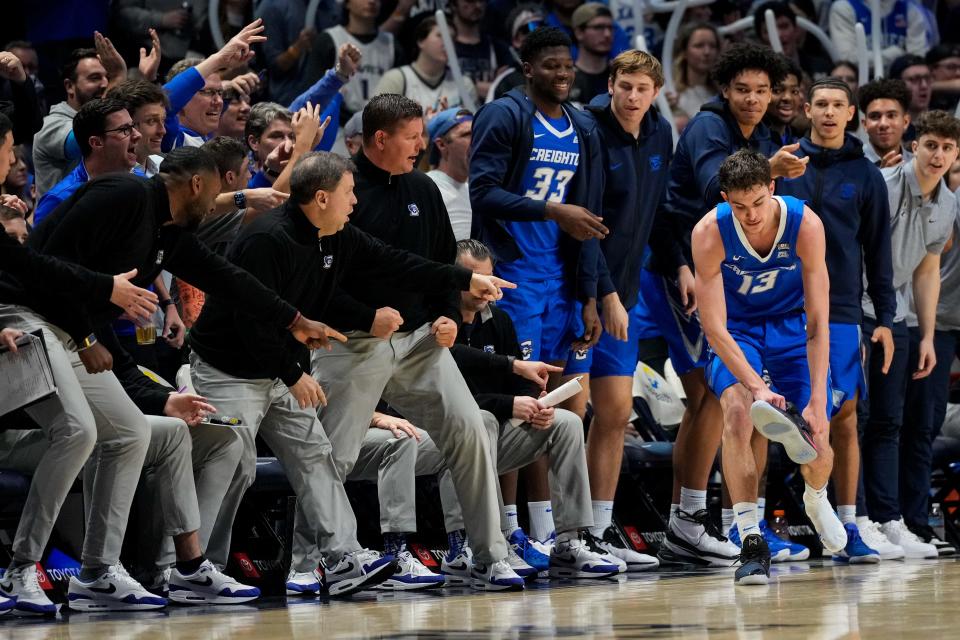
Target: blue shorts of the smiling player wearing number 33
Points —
{"points": [[546, 319]]}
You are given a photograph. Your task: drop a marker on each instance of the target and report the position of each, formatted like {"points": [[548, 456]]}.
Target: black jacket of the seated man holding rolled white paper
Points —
{"points": [[484, 352]]}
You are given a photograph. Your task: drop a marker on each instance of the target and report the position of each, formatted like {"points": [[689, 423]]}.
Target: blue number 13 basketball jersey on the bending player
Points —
{"points": [[762, 287]]}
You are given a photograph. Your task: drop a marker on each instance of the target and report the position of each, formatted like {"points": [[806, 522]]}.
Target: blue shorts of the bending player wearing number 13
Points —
{"points": [[777, 347]]}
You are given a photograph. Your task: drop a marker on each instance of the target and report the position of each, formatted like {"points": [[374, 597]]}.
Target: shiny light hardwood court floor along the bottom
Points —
{"points": [[916, 599]]}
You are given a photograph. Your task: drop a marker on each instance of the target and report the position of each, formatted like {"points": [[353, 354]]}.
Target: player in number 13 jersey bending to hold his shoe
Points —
{"points": [[764, 298]]}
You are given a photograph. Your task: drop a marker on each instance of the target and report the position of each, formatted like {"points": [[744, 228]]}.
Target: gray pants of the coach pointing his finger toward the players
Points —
{"points": [[297, 438]]}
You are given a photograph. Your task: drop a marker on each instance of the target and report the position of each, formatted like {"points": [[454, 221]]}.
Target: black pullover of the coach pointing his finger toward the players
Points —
{"points": [[282, 250]]}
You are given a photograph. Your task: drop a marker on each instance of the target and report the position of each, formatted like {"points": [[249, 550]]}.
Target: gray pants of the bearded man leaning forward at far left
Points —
{"points": [[88, 410]]}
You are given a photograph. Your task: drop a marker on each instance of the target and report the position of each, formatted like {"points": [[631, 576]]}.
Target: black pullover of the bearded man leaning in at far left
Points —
{"points": [[119, 222]]}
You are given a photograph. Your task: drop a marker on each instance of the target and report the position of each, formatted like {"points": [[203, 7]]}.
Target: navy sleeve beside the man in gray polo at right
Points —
{"points": [[875, 234]]}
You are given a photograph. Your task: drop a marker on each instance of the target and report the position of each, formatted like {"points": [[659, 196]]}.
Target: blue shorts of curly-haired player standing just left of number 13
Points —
{"points": [[684, 336]]}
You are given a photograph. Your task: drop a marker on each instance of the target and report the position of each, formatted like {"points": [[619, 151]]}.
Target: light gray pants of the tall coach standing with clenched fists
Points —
{"points": [[422, 382]]}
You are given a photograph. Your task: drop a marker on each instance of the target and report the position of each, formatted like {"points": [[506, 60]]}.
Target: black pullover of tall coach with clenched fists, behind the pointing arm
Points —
{"points": [[405, 212]]}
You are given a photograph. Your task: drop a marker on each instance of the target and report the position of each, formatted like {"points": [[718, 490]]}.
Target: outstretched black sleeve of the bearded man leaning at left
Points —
{"points": [[192, 261]]}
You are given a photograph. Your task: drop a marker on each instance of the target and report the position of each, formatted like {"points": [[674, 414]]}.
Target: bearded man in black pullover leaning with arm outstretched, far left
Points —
{"points": [[113, 224]]}
